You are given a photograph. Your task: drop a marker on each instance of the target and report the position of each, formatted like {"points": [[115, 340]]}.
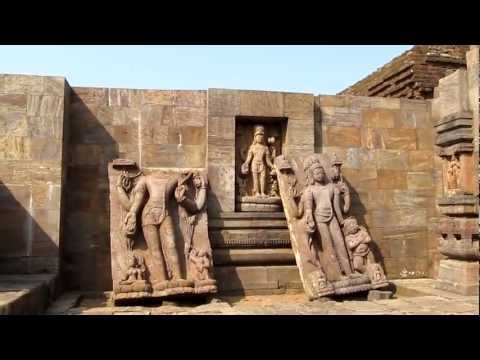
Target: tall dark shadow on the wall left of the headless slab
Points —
{"points": [[85, 255]]}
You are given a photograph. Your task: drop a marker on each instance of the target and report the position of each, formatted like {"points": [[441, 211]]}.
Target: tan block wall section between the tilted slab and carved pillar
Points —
{"points": [[387, 146]]}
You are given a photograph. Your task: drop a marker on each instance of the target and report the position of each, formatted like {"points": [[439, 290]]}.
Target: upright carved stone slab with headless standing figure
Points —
{"points": [[158, 232]]}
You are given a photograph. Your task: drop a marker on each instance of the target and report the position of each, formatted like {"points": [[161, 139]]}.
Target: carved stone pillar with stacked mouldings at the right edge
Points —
{"points": [[458, 228]]}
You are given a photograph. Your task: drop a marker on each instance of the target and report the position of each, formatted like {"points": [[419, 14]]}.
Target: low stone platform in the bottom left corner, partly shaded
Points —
{"points": [[26, 294]]}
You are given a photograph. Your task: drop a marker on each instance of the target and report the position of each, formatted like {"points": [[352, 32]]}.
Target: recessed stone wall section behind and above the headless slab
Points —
{"points": [[155, 128]]}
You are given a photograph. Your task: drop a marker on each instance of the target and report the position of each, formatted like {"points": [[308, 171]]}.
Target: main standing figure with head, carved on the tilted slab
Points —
{"points": [[324, 216]]}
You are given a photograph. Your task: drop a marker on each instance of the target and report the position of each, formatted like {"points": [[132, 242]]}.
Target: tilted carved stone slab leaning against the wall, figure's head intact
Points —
{"points": [[332, 251]]}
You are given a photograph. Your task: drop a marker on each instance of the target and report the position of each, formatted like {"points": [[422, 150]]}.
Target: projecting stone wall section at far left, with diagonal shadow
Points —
{"points": [[33, 126]]}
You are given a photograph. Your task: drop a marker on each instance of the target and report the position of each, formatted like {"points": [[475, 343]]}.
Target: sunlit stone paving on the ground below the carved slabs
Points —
{"points": [[417, 297]]}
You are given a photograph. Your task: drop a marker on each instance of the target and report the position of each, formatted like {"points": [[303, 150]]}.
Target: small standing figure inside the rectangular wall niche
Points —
{"points": [[259, 158]]}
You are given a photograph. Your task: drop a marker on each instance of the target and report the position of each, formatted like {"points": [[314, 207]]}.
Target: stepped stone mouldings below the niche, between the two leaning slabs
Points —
{"points": [[252, 253]]}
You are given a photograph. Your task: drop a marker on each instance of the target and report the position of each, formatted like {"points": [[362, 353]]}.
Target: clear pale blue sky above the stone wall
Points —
{"points": [[317, 69]]}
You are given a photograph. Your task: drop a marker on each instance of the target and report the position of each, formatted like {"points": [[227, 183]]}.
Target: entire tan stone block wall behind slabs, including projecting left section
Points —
{"points": [[387, 146]]}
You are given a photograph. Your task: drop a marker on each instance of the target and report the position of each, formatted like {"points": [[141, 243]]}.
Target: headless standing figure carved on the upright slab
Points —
{"points": [[158, 227]]}
